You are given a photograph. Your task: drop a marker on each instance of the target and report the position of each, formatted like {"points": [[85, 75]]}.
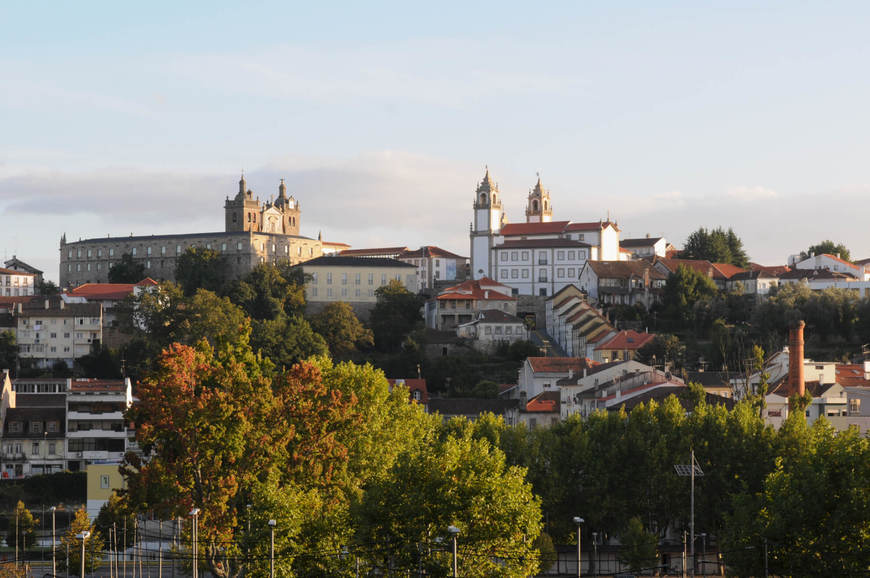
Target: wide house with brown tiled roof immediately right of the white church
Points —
{"points": [[622, 282]]}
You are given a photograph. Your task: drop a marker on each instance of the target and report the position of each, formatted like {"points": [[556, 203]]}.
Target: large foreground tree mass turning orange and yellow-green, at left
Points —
{"points": [[222, 431]]}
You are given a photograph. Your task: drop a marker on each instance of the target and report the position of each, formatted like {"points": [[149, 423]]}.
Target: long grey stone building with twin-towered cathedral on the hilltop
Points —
{"points": [[255, 232]]}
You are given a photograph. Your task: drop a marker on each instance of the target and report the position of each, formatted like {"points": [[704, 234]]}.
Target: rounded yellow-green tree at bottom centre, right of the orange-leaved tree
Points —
{"points": [[460, 481]]}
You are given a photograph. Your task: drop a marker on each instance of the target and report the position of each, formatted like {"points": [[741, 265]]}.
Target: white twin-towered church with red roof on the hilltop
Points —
{"points": [[541, 256]]}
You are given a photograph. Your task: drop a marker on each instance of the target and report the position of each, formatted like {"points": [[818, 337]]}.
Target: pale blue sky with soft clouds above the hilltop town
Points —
{"points": [[120, 118]]}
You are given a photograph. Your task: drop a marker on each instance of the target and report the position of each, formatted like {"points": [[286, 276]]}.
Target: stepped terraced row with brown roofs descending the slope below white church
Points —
{"points": [[574, 324]]}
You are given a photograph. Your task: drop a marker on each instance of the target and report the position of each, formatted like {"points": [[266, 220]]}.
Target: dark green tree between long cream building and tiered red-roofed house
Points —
{"points": [[395, 315]]}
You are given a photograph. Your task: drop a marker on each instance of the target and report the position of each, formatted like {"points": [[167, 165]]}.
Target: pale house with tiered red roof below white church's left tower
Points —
{"points": [[465, 302]]}
